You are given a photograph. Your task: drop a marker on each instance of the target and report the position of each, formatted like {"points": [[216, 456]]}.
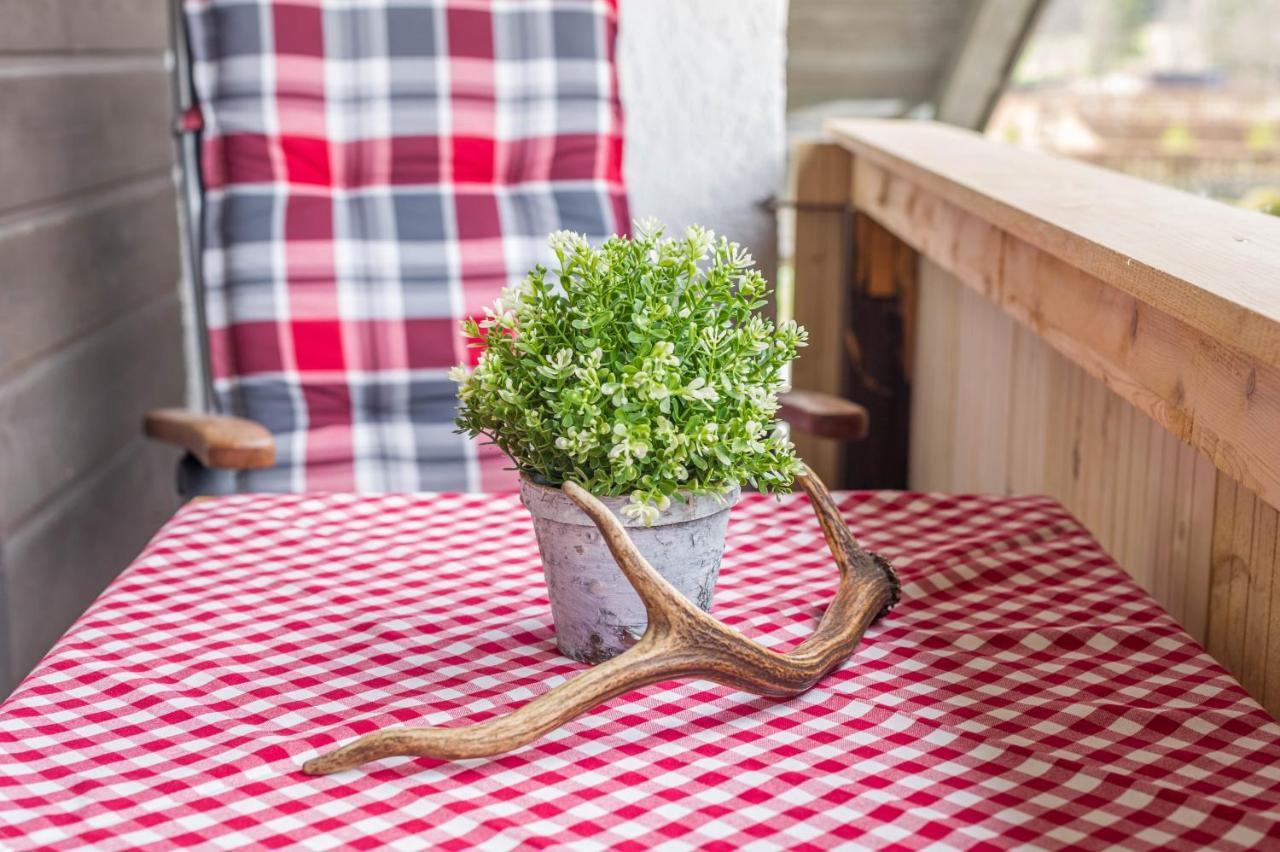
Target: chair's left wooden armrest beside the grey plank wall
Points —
{"points": [[220, 442]]}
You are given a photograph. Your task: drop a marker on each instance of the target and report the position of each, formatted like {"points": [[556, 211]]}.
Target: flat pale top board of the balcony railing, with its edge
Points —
{"points": [[1214, 267]]}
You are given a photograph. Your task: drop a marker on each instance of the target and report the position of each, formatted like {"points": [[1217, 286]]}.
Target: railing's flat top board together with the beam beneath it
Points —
{"points": [[1173, 301]]}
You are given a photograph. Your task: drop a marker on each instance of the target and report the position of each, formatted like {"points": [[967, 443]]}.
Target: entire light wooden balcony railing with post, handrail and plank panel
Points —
{"points": [[1075, 332]]}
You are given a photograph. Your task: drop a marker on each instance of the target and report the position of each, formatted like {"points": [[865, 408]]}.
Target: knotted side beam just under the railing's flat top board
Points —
{"points": [[1201, 388]]}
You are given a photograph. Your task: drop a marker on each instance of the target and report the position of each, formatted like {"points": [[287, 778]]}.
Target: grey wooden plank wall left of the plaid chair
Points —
{"points": [[90, 315]]}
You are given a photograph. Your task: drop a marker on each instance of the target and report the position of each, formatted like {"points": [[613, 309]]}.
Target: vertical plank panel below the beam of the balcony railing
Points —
{"points": [[1031, 422]]}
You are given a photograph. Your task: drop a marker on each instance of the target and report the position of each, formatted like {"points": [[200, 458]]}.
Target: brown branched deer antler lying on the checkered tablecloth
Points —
{"points": [[682, 642]]}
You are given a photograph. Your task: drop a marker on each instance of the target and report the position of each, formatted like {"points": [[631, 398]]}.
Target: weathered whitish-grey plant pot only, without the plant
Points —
{"points": [[597, 613]]}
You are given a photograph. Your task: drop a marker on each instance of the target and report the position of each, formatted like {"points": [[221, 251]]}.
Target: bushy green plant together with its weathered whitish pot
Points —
{"points": [[643, 372]]}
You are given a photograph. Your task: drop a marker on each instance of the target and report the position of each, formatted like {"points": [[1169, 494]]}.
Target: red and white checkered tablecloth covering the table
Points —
{"points": [[1025, 694]]}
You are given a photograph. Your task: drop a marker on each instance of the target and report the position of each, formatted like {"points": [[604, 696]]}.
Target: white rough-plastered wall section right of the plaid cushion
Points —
{"points": [[705, 90]]}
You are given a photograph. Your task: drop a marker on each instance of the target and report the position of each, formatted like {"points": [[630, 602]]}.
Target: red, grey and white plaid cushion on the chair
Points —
{"points": [[376, 171]]}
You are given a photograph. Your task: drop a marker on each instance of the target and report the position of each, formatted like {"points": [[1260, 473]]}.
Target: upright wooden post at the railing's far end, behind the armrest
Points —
{"points": [[820, 184]]}
